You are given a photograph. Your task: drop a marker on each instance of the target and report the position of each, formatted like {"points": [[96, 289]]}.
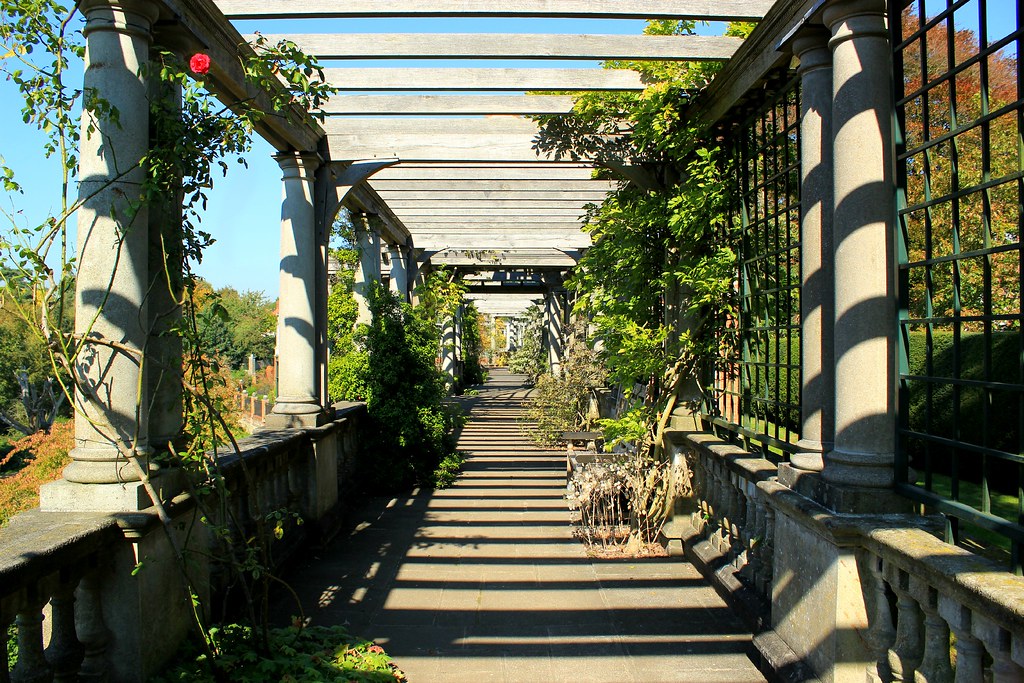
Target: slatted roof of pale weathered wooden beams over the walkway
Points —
{"points": [[457, 166]]}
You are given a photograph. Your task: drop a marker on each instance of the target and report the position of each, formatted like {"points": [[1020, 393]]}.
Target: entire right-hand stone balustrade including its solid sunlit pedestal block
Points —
{"points": [[841, 593]]}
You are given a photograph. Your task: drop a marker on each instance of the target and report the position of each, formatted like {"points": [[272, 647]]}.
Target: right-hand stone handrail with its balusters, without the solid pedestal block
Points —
{"points": [[934, 613]]}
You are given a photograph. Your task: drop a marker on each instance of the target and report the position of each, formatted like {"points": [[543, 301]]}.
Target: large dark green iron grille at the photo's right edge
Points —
{"points": [[960, 119]]}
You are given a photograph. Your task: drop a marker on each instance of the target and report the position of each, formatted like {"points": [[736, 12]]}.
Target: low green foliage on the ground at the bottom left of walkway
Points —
{"points": [[311, 654]]}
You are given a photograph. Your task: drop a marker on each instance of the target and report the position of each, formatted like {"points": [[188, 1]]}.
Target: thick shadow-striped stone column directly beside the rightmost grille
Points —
{"points": [[865, 266]]}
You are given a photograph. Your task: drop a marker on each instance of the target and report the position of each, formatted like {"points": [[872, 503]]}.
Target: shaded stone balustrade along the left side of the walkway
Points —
{"points": [[63, 576]]}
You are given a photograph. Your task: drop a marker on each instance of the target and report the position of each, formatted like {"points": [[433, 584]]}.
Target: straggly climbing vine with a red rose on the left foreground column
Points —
{"points": [[193, 139]]}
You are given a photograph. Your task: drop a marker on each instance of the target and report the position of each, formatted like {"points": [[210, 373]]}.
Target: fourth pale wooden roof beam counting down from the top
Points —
{"points": [[463, 105]]}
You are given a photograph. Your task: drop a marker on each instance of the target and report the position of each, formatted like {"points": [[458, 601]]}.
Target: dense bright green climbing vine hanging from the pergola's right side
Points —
{"points": [[661, 269]]}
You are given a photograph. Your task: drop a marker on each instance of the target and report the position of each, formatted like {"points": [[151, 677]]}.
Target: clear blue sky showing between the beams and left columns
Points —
{"points": [[244, 210]]}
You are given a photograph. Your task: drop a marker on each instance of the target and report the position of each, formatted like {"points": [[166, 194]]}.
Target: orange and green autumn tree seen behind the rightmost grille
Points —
{"points": [[979, 153]]}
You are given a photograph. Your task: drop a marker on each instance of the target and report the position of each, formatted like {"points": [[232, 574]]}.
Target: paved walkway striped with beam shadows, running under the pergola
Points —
{"points": [[485, 582]]}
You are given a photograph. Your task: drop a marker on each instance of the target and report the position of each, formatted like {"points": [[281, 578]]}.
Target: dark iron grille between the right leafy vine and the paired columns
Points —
{"points": [[755, 394]]}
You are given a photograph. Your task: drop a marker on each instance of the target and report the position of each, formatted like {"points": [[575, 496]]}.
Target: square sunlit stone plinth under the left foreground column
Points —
{"points": [[64, 496]]}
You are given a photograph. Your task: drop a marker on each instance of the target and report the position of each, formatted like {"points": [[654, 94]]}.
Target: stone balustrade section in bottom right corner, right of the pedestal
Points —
{"points": [[957, 617]]}
